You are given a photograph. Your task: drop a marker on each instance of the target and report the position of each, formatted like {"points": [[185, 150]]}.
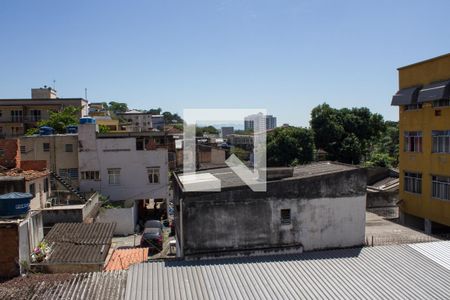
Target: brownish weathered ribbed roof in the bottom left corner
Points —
{"points": [[98, 285]]}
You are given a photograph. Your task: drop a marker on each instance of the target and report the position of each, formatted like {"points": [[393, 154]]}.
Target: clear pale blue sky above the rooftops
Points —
{"points": [[280, 55]]}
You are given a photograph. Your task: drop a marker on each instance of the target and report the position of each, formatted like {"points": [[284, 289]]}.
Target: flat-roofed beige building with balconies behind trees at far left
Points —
{"points": [[19, 115]]}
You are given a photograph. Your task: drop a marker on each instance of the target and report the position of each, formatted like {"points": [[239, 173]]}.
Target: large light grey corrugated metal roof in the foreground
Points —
{"points": [[385, 272]]}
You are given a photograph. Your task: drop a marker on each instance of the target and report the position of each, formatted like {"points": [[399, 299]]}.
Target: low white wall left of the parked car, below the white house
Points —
{"points": [[125, 219]]}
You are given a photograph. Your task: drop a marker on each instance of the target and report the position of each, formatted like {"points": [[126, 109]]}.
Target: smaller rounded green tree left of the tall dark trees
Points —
{"points": [[288, 146]]}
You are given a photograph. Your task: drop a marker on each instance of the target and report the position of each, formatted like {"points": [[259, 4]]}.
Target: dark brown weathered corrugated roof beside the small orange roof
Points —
{"points": [[79, 242]]}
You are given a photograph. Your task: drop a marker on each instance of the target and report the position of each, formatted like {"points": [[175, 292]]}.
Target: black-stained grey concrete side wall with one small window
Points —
{"points": [[327, 211]]}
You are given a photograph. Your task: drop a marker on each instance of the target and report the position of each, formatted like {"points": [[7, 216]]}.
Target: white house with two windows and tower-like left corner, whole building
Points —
{"points": [[123, 166]]}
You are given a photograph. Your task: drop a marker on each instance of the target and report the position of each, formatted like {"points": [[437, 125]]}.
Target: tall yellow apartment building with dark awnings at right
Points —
{"points": [[424, 122]]}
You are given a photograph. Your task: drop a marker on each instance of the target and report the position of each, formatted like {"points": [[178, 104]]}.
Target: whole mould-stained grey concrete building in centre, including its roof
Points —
{"points": [[311, 207]]}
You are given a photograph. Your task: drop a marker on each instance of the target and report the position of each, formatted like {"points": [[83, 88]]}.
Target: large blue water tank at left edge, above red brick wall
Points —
{"points": [[14, 204]]}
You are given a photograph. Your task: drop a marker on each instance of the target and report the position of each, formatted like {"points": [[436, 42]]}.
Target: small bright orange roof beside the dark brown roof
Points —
{"points": [[122, 259]]}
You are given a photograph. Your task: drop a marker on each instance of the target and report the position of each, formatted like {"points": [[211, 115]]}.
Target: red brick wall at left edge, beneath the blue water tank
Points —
{"points": [[9, 235]]}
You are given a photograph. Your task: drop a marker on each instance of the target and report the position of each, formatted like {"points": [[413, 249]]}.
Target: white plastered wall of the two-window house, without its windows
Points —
{"points": [[101, 154]]}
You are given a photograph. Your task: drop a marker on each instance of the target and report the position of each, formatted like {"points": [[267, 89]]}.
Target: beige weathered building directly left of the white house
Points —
{"points": [[59, 151]]}
